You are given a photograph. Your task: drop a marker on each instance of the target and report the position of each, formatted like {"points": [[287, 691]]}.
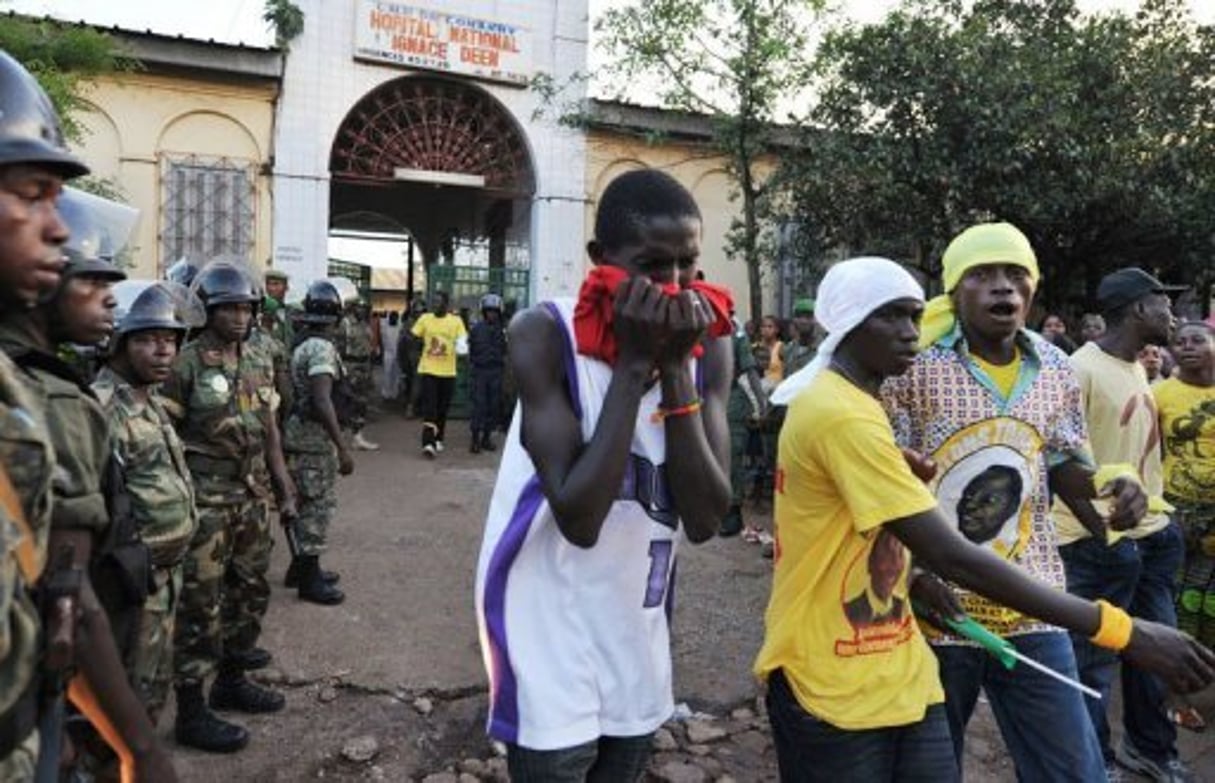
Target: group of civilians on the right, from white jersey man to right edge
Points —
{"points": [[928, 458]]}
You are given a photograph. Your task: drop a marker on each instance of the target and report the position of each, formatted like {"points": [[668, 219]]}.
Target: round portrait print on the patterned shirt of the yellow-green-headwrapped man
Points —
{"points": [[986, 475]]}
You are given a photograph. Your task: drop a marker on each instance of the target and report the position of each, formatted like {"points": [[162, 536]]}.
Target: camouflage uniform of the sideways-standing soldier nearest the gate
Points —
{"points": [[312, 457]]}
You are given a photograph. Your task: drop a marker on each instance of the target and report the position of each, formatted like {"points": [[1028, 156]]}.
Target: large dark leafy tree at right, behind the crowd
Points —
{"points": [[1094, 134]]}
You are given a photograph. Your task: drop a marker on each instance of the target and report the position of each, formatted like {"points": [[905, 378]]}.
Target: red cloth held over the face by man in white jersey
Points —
{"points": [[596, 309]]}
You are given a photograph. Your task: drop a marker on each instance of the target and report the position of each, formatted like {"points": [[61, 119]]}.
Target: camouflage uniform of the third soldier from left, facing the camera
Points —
{"points": [[163, 504]]}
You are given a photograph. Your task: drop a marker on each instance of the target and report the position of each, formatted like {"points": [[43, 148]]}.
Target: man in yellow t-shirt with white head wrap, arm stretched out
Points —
{"points": [[854, 690]]}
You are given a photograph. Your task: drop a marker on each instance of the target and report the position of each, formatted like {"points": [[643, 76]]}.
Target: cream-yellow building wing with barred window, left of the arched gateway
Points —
{"points": [[188, 139]]}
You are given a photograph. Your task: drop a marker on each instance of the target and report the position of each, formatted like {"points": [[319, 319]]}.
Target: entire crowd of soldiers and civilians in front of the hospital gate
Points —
{"points": [[939, 472]]}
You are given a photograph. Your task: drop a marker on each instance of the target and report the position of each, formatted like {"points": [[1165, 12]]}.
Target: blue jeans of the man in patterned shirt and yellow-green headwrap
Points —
{"points": [[1044, 724]]}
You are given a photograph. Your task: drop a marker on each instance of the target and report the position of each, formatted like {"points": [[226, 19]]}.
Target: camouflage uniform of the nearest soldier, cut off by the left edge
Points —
{"points": [[29, 459]]}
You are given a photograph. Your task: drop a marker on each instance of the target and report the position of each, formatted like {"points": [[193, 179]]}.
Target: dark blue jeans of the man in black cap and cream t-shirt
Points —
{"points": [[1139, 577]]}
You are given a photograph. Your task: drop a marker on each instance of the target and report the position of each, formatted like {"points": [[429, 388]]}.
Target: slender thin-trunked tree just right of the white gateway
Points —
{"points": [[739, 63]]}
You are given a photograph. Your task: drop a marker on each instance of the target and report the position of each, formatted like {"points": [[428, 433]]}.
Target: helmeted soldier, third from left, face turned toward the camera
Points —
{"points": [[145, 345]]}
